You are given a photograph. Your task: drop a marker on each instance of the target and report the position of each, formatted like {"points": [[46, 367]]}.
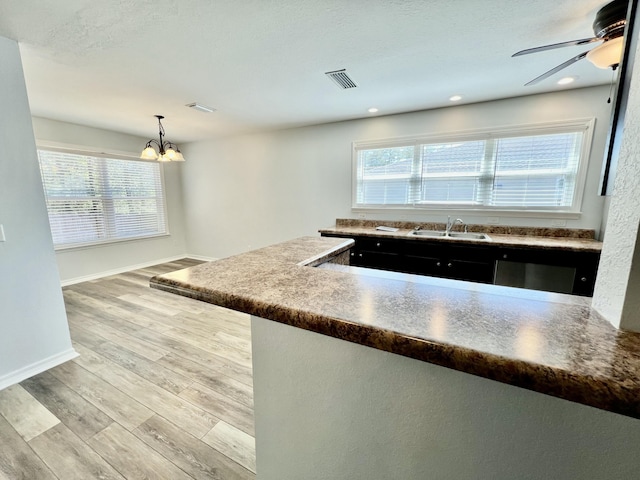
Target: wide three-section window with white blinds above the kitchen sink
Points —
{"points": [[525, 169]]}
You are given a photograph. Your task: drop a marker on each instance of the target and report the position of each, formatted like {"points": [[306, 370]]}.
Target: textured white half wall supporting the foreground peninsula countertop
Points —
{"points": [[329, 409]]}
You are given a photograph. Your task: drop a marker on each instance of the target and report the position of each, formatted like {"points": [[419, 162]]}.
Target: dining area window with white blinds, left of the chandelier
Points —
{"points": [[96, 200]]}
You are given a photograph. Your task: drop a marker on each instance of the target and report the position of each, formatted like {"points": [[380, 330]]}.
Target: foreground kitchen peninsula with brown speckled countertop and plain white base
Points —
{"points": [[330, 406]]}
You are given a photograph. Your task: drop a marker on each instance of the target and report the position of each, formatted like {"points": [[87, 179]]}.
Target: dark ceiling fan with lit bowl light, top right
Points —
{"points": [[608, 28]]}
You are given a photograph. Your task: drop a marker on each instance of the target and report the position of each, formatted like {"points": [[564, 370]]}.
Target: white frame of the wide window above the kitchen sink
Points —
{"points": [[585, 125]]}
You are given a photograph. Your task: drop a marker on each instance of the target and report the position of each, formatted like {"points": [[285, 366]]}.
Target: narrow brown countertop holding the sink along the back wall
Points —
{"points": [[515, 237]]}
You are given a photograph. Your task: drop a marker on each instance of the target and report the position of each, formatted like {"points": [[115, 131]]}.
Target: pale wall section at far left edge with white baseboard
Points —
{"points": [[33, 324]]}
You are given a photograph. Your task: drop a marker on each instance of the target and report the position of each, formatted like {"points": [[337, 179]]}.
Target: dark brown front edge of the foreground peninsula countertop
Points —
{"points": [[514, 372]]}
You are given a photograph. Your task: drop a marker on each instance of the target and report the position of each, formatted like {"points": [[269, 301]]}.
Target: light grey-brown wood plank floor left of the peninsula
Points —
{"points": [[162, 390]]}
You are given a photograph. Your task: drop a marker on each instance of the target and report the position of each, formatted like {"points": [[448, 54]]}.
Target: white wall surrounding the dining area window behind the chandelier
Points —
{"points": [[80, 263]]}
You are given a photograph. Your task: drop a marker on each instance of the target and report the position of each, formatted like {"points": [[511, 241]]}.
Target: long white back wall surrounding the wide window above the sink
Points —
{"points": [[249, 191]]}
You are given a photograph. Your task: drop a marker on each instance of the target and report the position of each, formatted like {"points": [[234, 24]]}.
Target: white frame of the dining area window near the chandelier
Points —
{"points": [[115, 155]]}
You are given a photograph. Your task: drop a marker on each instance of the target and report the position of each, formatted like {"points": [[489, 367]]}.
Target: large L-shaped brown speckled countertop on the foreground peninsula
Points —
{"points": [[546, 342]]}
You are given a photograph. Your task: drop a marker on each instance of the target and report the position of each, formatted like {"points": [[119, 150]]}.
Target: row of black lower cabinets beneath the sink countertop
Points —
{"points": [[569, 271]]}
